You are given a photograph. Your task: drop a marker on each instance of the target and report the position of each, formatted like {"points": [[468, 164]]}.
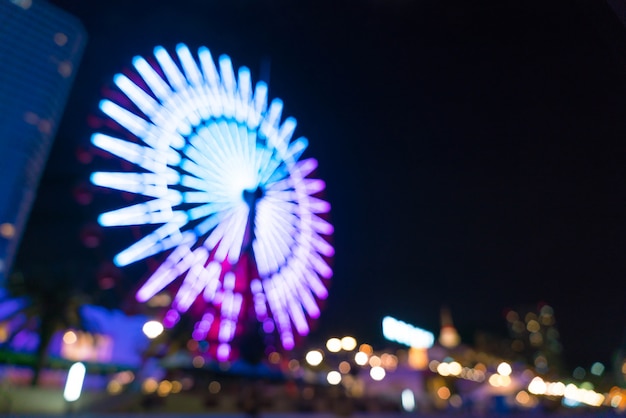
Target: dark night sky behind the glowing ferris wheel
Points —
{"points": [[474, 151]]}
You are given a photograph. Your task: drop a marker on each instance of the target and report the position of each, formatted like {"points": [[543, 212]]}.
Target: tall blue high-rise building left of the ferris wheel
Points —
{"points": [[40, 49]]}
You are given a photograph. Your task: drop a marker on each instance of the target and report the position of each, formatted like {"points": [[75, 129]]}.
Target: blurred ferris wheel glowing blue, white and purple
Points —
{"points": [[225, 197]]}
